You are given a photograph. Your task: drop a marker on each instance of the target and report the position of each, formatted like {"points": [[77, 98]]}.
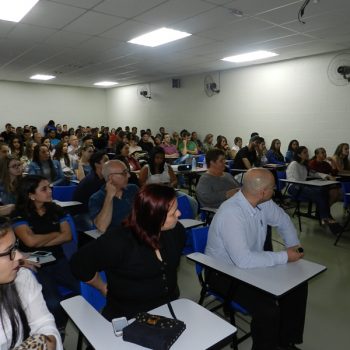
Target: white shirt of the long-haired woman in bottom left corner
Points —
{"points": [[40, 320]]}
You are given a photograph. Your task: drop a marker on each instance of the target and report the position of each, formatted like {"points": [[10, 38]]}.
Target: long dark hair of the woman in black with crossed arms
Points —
{"points": [[24, 205]]}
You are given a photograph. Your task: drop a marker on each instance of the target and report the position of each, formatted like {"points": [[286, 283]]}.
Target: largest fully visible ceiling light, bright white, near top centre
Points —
{"points": [[159, 37]]}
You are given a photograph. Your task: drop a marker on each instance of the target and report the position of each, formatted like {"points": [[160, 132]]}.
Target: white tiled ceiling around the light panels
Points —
{"points": [[84, 41]]}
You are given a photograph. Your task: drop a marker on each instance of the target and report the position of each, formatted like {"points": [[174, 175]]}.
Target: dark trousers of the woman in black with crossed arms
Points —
{"points": [[51, 276]]}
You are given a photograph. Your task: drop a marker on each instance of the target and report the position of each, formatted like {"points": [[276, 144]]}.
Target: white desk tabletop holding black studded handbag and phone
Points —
{"points": [[203, 328]]}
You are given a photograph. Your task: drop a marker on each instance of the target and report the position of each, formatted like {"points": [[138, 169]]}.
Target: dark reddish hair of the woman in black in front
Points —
{"points": [[149, 212]]}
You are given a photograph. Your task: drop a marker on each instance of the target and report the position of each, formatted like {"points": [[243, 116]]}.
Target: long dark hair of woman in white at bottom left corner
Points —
{"points": [[10, 303]]}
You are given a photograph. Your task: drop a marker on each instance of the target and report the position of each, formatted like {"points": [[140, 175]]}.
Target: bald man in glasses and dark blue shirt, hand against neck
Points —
{"points": [[112, 203]]}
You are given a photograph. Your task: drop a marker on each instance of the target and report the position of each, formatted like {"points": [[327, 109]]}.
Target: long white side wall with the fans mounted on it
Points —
{"points": [[286, 100]]}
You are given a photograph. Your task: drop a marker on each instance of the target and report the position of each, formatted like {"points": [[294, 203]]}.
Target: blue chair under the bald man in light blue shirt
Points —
{"points": [[199, 239]]}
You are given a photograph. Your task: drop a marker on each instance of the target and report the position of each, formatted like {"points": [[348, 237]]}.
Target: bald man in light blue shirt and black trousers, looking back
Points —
{"points": [[236, 236]]}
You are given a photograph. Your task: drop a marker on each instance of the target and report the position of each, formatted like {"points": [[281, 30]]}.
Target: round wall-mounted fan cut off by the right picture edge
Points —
{"points": [[339, 69]]}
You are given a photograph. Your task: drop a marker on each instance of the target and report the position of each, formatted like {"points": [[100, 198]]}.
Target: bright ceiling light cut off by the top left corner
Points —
{"points": [[15, 10]]}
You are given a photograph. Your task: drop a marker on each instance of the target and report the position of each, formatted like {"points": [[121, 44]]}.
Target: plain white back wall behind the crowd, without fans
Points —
{"points": [[36, 104]]}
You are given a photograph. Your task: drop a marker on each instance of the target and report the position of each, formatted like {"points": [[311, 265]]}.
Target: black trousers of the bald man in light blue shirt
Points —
{"points": [[274, 321]]}
